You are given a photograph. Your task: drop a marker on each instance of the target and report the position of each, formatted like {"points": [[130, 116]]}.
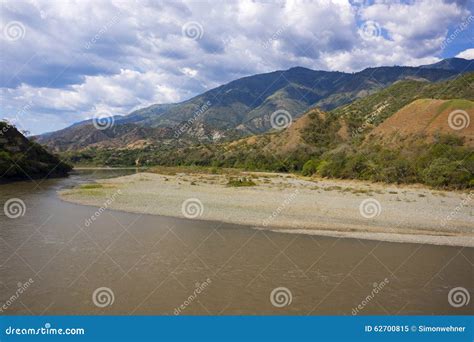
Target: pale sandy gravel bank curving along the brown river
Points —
{"points": [[291, 204]]}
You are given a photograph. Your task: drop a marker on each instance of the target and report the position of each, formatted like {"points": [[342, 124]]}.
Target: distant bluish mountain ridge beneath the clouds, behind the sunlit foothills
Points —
{"points": [[246, 104]]}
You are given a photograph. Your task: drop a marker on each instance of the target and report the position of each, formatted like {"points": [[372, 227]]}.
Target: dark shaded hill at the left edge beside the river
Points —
{"points": [[21, 158]]}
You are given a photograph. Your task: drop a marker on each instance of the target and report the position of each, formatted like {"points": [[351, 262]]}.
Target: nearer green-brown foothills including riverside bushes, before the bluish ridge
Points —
{"points": [[401, 134]]}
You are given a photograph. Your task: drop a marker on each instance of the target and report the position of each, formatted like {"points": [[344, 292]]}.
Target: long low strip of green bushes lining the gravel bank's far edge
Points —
{"points": [[443, 164]]}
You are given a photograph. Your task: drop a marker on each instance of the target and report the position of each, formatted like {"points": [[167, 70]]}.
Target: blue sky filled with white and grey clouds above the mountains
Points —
{"points": [[65, 61]]}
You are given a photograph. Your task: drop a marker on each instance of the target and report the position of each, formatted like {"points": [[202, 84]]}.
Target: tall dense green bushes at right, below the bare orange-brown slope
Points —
{"points": [[445, 163]]}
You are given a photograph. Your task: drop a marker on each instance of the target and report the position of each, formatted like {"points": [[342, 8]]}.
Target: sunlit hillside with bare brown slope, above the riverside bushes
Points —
{"points": [[416, 111]]}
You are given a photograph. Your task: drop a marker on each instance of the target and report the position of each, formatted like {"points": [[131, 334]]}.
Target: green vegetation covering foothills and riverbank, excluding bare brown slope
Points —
{"points": [[446, 163]]}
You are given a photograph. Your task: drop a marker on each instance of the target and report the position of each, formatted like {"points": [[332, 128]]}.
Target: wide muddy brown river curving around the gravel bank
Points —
{"points": [[53, 260]]}
